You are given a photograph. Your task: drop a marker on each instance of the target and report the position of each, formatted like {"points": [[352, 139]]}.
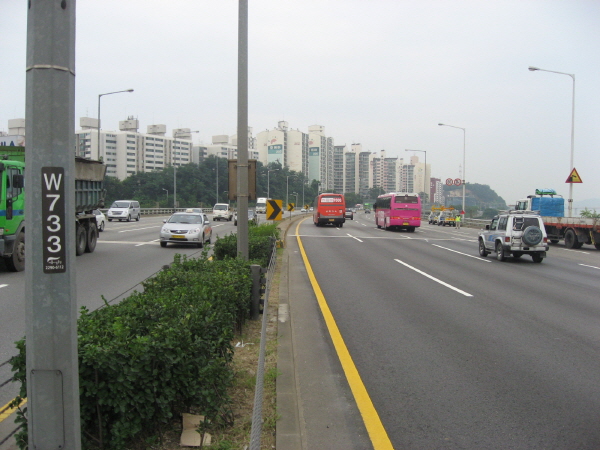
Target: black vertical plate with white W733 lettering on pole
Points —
{"points": [[53, 219]]}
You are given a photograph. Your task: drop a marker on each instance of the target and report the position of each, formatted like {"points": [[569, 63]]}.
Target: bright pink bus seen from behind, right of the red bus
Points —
{"points": [[398, 210]]}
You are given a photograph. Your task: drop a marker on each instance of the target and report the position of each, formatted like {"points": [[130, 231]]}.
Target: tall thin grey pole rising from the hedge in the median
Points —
{"points": [[242, 169]]}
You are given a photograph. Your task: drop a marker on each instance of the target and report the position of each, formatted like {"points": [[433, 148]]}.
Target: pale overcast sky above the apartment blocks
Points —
{"points": [[382, 73]]}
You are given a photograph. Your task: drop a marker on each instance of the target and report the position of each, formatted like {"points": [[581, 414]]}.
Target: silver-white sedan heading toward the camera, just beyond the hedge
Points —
{"points": [[186, 228]]}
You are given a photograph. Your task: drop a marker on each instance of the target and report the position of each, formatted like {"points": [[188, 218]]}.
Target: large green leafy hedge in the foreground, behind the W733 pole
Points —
{"points": [[157, 353]]}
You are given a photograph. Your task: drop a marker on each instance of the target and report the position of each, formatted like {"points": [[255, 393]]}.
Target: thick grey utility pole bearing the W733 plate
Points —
{"points": [[50, 289]]}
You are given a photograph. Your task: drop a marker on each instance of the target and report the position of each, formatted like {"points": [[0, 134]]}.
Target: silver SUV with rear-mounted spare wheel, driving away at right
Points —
{"points": [[515, 233]]}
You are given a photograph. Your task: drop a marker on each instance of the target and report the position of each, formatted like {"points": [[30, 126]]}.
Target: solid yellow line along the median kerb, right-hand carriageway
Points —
{"points": [[377, 433]]}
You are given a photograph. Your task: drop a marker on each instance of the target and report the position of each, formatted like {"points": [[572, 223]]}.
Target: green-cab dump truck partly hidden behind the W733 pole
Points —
{"points": [[89, 195]]}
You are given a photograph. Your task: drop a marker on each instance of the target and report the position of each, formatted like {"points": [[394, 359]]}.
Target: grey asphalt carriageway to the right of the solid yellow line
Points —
{"points": [[458, 351]]}
